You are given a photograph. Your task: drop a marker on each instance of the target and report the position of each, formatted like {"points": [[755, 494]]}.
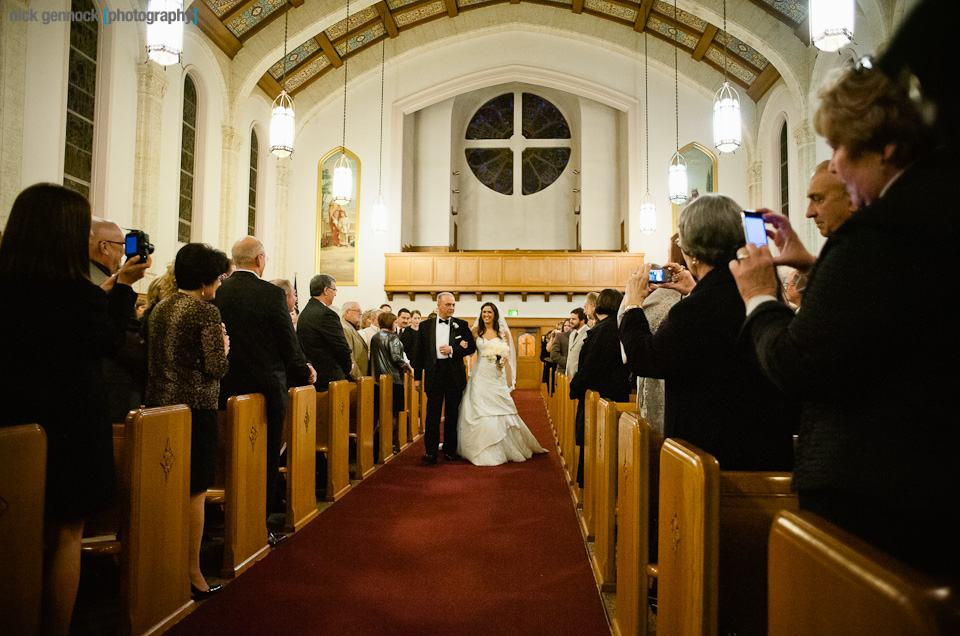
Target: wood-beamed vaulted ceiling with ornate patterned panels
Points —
{"points": [[230, 24]]}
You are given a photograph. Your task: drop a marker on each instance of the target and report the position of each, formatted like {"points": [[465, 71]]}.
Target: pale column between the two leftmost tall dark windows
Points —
{"points": [[151, 87]]}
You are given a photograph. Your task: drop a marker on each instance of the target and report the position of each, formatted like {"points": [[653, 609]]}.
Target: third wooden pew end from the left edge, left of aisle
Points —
{"points": [[244, 441]]}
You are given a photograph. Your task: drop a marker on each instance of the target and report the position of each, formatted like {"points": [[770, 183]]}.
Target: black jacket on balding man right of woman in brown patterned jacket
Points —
{"points": [[265, 356]]}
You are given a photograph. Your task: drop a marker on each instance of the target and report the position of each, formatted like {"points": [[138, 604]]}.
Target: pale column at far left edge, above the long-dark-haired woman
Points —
{"points": [[13, 63]]}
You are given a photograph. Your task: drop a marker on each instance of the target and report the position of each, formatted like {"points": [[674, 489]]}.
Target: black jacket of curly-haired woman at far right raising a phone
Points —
{"points": [[873, 352]]}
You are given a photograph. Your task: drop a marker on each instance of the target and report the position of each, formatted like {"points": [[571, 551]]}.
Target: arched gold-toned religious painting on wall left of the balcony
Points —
{"points": [[337, 223]]}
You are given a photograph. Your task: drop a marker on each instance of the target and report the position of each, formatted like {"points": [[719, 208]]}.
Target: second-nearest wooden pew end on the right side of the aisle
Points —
{"points": [[687, 558]]}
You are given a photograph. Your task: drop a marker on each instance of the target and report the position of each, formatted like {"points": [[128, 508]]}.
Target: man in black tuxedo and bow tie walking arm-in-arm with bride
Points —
{"points": [[444, 343]]}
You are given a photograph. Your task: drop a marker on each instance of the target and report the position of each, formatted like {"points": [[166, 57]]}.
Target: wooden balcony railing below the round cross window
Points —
{"points": [[507, 272]]}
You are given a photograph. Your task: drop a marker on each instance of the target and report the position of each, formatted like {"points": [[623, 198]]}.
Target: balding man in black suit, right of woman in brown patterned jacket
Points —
{"points": [[265, 356]]}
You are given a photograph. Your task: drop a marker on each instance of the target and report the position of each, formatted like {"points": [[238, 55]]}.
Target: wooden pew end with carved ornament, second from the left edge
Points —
{"points": [[155, 519]]}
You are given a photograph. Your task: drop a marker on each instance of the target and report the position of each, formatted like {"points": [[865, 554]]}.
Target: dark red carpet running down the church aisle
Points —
{"points": [[445, 549]]}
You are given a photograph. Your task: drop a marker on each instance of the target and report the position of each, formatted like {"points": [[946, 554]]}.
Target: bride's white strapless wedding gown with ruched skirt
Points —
{"points": [[490, 430]]}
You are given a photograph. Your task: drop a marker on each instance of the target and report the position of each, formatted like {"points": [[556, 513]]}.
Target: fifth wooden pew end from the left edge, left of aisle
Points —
{"points": [[333, 437]]}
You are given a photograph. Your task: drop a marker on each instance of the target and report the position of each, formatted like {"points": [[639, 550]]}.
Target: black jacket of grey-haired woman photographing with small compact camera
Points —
{"points": [[716, 396]]}
